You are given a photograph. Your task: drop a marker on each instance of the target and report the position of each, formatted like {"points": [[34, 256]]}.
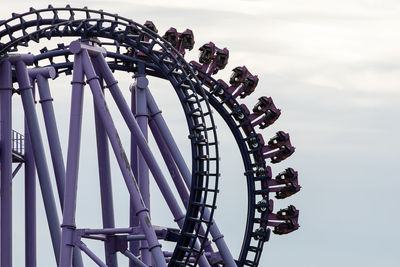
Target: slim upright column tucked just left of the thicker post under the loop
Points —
{"points": [[133, 220]]}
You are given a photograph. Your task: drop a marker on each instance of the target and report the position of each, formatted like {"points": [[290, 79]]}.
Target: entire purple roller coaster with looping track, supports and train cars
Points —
{"points": [[104, 43]]}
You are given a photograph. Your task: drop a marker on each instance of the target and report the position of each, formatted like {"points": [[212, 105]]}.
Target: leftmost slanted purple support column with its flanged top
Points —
{"points": [[38, 150]]}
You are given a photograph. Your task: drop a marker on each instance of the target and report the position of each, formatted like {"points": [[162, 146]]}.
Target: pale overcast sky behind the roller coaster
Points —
{"points": [[333, 67]]}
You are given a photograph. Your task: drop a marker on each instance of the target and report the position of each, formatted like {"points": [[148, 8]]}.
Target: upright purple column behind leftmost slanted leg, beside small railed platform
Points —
{"points": [[30, 202]]}
